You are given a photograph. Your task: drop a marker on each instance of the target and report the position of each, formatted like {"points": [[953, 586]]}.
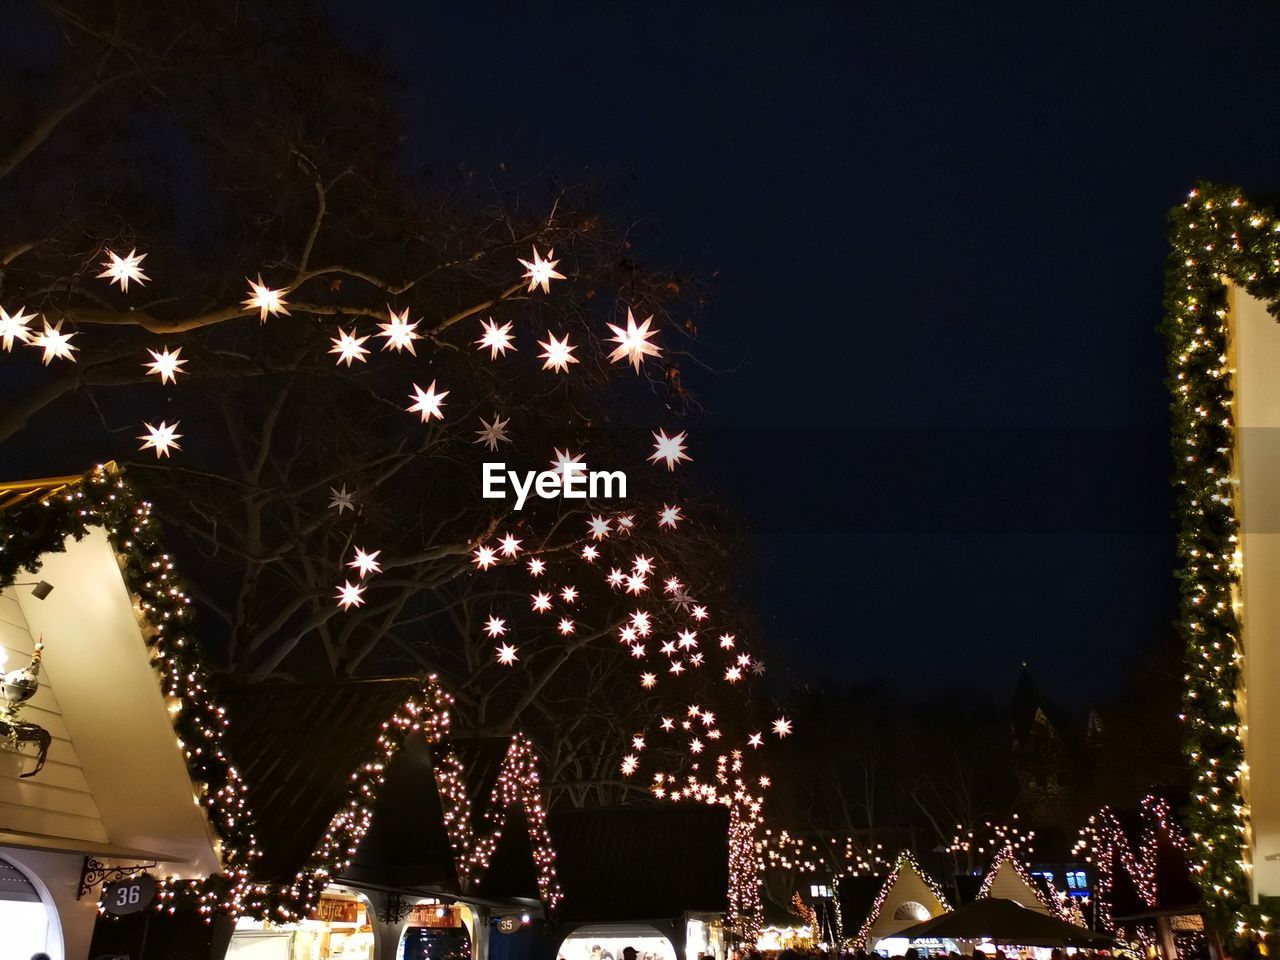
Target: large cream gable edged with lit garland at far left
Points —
{"points": [[130, 698]]}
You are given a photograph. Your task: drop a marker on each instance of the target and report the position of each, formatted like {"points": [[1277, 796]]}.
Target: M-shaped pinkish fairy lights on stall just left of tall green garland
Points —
{"points": [[1107, 847]]}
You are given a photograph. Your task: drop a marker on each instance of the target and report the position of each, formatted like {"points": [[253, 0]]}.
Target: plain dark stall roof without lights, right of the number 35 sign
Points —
{"points": [[642, 863]]}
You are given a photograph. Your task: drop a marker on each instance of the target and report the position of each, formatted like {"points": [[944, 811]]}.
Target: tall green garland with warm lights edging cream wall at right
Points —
{"points": [[1215, 236]]}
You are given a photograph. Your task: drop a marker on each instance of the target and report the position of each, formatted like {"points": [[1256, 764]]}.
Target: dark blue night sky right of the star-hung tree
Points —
{"points": [[940, 234]]}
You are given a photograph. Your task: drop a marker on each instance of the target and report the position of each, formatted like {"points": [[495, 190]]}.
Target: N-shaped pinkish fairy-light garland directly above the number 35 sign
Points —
{"points": [[519, 784]]}
